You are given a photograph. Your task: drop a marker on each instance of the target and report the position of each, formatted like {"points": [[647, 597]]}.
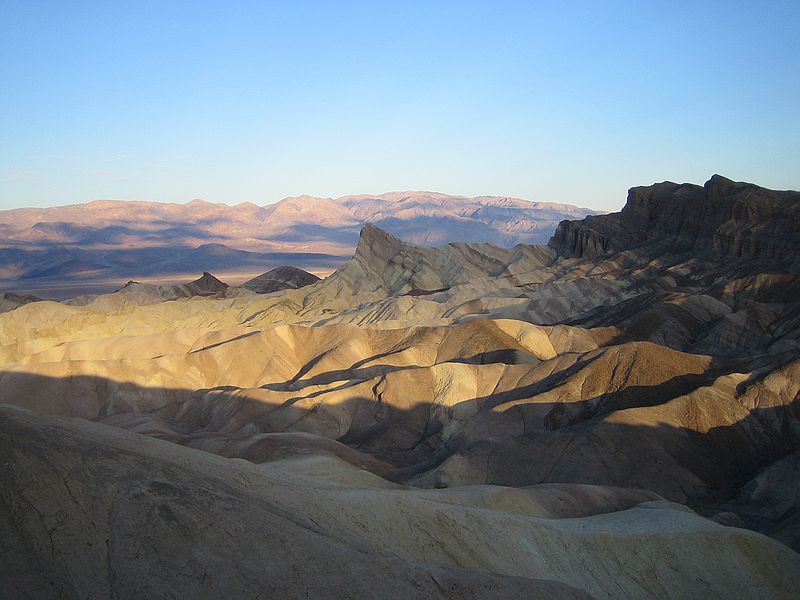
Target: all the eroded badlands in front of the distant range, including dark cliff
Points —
{"points": [[613, 415]]}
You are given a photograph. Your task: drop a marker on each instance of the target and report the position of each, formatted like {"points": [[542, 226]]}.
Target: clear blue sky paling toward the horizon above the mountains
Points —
{"points": [[254, 101]]}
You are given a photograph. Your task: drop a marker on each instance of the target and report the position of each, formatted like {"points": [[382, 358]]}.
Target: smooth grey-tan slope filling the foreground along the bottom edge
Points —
{"points": [[104, 513]]}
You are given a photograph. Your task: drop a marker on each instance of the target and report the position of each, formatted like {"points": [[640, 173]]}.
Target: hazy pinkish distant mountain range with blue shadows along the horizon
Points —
{"points": [[106, 242]]}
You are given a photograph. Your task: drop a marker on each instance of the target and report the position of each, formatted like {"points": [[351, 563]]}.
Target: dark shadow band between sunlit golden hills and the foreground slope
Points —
{"points": [[703, 467]]}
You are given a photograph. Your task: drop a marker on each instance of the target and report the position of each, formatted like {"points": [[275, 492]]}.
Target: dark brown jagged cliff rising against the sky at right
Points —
{"points": [[722, 218]]}
